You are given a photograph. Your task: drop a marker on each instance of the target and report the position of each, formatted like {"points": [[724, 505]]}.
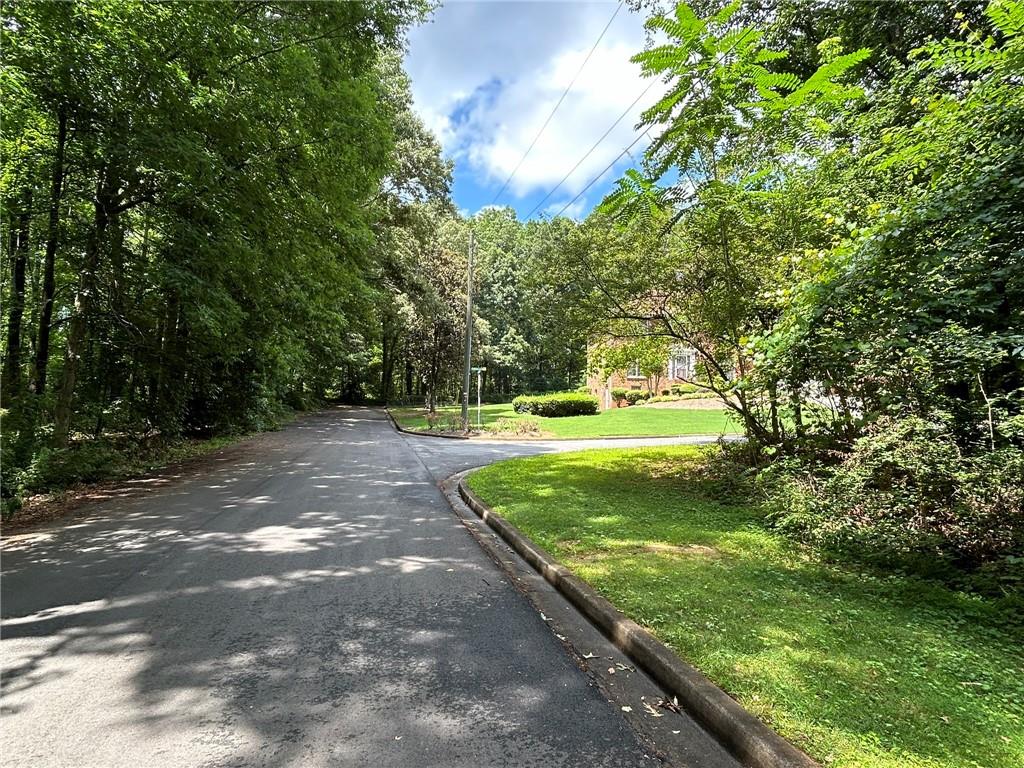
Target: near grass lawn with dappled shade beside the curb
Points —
{"points": [[860, 670]]}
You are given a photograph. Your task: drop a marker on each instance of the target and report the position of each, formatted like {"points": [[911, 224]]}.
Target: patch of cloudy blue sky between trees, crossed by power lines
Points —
{"points": [[486, 75]]}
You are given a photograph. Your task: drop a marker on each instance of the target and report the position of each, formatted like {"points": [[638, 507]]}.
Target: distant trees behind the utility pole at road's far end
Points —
{"points": [[521, 337]]}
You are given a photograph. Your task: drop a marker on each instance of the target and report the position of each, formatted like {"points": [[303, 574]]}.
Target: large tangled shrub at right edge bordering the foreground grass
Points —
{"points": [[906, 496]]}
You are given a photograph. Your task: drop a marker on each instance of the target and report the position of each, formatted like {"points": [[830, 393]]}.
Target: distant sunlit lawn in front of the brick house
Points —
{"points": [[636, 421]]}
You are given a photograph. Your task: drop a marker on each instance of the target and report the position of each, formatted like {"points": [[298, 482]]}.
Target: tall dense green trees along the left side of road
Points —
{"points": [[196, 197]]}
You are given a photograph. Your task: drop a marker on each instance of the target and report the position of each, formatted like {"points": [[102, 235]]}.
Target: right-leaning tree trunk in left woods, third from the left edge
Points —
{"points": [[79, 321]]}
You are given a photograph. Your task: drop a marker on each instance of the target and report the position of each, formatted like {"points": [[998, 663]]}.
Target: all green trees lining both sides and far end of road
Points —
{"points": [[214, 210]]}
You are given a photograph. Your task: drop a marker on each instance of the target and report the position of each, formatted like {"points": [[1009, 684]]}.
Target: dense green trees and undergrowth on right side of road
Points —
{"points": [[832, 217]]}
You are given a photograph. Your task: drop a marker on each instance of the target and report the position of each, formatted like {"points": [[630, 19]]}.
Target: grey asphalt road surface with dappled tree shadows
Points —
{"points": [[309, 600]]}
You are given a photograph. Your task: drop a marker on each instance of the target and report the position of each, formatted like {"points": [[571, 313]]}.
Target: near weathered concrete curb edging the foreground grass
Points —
{"points": [[742, 734]]}
